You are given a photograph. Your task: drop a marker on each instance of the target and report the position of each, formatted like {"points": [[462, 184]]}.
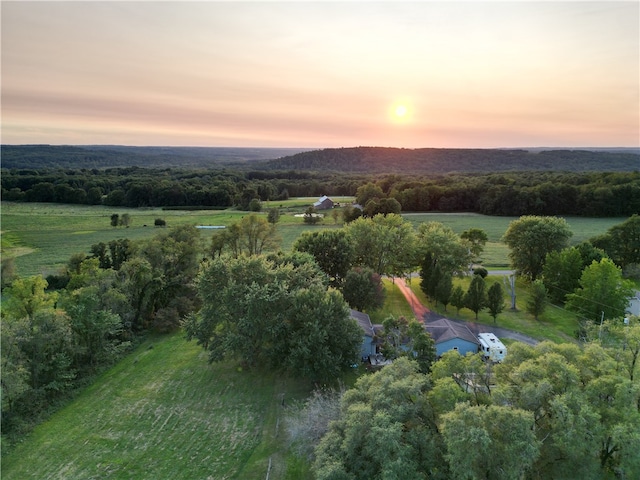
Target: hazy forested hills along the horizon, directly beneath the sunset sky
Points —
{"points": [[351, 160]]}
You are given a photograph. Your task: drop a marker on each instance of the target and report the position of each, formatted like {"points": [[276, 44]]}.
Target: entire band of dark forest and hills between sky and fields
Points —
{"points": [[492, 182]]}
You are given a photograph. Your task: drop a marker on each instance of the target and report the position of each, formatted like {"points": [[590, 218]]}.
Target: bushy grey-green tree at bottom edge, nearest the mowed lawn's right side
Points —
{"points": [[385, 430]]}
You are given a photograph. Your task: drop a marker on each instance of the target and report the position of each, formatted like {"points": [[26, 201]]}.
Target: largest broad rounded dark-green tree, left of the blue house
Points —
{"points": [[279, 314]]}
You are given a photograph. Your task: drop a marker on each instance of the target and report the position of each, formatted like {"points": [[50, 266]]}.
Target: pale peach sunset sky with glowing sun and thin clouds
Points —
{"points": [[321, 74]]}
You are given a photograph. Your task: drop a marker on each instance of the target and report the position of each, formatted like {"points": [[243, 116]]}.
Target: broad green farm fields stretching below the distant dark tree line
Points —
{"points": [[43, 236]]}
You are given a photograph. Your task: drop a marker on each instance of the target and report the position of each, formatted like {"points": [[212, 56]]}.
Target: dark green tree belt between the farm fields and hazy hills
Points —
{"points": [[508, 194]]}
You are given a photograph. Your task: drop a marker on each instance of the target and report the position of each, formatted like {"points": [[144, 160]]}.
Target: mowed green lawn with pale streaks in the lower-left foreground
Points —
{"points": [[165, 413]]}
